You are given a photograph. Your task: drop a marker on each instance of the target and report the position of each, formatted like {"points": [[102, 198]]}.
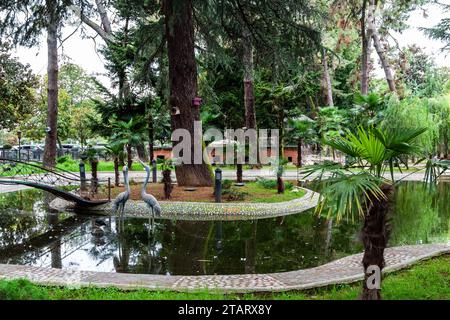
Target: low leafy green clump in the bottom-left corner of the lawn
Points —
{"points": [[21, 289]]}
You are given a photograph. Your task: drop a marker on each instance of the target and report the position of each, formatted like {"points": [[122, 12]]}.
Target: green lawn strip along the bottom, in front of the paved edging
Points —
{"points": [[428, 280]]}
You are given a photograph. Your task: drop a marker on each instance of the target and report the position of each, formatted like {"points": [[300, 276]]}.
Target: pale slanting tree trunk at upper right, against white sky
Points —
{"points": [[373, 32]]}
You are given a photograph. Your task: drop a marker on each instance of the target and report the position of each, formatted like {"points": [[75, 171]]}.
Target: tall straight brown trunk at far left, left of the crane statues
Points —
{"points": [[52, 90]]}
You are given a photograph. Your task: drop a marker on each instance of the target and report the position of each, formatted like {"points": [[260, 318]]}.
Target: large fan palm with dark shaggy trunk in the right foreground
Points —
{"points": [[346, 192]]}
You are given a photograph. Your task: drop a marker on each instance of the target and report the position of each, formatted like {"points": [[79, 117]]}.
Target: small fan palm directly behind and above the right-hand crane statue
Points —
{"points": [[130, 134]]}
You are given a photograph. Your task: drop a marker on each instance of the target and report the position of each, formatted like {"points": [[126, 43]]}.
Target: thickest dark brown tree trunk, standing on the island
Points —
{"points": [[183, 85]]}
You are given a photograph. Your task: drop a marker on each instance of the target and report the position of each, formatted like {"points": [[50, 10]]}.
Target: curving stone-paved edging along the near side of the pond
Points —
{"points": [[344, 270]]}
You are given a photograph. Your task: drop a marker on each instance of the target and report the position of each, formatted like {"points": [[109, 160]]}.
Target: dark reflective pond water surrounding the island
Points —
{"points": [[30, 234]]}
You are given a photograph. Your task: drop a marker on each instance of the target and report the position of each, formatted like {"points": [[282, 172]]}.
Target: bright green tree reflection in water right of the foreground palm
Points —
{"points": [[420, 215]]}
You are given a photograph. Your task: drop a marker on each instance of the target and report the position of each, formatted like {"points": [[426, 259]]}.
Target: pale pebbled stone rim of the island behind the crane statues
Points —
{"points": [[205, 211]]}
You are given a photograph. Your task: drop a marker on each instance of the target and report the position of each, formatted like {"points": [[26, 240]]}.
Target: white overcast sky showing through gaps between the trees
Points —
{"points": [[82, 51]]}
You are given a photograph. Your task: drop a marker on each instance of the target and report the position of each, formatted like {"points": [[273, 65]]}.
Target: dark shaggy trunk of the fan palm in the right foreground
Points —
{"points": [[375, 237]]}
